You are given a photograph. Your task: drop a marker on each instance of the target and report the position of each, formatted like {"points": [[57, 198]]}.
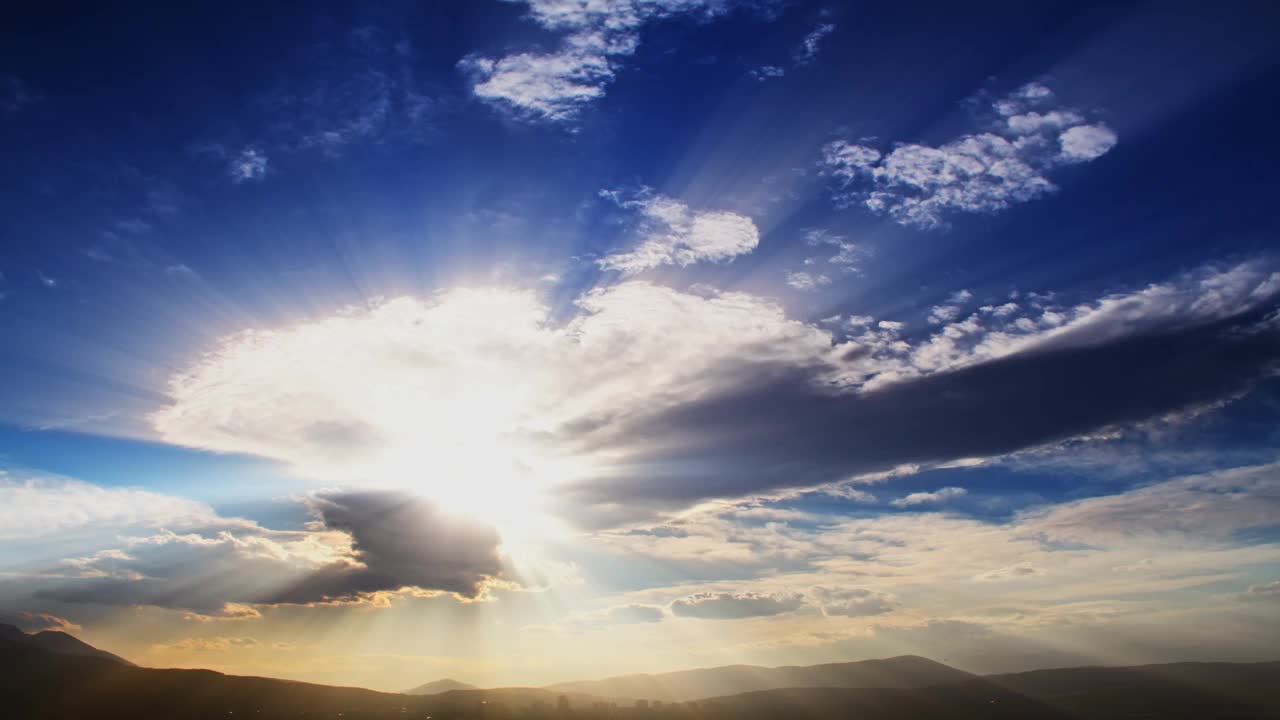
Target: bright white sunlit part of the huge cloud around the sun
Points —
{"points": [[446, 414]]}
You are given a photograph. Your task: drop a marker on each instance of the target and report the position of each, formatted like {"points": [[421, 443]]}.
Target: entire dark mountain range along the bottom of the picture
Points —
{"points": [[56, 677]]}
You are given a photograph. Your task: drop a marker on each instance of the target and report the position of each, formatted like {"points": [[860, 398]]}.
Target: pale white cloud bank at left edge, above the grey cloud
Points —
{"points": [[40, 507]]}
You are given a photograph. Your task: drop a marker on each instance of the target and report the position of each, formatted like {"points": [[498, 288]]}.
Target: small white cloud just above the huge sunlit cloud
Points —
{"points": [[671, 234]]}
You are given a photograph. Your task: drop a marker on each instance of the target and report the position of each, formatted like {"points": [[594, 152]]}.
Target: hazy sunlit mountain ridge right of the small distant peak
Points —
{"points": [[906, 672]]}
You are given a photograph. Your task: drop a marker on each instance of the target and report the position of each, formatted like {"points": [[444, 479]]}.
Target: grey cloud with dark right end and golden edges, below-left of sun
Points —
{"points": [[363, 544]]}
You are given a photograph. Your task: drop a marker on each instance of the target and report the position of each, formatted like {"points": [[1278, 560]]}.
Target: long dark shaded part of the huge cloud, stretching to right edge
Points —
{"points": [[780, 427]]}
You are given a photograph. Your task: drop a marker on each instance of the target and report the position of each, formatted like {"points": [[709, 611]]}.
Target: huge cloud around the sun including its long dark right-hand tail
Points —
{"points": [[650, 399]]}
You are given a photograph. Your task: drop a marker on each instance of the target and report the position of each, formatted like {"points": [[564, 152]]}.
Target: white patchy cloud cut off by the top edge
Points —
{"points": [[597, 37]]}
